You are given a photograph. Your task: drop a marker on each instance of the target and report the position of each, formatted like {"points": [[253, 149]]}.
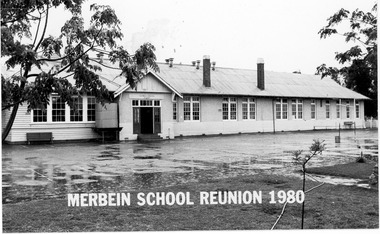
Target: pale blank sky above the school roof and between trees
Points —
{"points": [[233, 33]]}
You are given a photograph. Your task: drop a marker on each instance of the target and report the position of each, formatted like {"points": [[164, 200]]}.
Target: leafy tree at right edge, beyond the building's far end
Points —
{"points": [[359, 71]]}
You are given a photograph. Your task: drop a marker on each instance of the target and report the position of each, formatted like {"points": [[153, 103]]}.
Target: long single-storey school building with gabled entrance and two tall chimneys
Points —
{"points": [[196, 99]]}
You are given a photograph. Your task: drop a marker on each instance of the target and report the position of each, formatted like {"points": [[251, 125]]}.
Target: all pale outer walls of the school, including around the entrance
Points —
{"points": [[210, 119]]}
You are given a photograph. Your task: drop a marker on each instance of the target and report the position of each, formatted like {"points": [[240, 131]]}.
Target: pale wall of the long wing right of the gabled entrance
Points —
{"points": [[212, 123]]}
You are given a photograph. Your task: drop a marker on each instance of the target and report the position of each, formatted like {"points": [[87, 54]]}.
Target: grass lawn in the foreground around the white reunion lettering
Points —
{"points": [[327, 207]]}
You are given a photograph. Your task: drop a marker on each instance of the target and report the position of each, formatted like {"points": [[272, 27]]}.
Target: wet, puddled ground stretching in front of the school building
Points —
{"points": [[43, 171]]}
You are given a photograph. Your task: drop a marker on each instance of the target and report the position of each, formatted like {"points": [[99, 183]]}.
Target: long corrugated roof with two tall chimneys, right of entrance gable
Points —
{"points": [[186, 79]]}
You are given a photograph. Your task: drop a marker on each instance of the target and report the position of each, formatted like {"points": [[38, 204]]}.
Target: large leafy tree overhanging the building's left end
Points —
{"points": [[71, 54]]}
